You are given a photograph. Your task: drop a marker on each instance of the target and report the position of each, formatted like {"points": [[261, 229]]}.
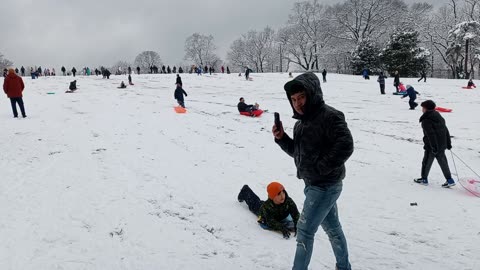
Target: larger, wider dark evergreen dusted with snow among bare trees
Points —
{"points": [[402, 53]]}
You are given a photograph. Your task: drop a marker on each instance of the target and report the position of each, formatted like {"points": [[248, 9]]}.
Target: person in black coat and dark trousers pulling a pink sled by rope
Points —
{"points": [[436, 139]]}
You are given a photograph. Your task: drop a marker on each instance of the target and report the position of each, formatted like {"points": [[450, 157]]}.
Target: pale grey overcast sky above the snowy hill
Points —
{"points": [[52, 33]]}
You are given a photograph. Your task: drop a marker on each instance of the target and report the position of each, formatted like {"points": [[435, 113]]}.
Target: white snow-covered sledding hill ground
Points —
{"points": [[109, 178]]}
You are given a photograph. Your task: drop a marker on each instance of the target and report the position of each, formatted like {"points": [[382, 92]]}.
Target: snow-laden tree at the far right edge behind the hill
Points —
{"points": [[464, 47]]}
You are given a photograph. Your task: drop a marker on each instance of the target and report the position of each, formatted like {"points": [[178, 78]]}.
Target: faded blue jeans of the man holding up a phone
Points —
{"points": [[320, 208]]}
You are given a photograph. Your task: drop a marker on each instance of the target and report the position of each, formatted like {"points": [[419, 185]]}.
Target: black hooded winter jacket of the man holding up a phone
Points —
{"points": [[321, 142]]}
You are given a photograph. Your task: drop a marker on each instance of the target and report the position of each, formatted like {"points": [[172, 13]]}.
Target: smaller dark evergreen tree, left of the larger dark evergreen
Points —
{"points": [[366, 55]]}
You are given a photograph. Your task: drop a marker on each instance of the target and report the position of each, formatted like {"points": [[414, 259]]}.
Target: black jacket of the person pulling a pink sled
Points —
{"points": [[436, 135]]}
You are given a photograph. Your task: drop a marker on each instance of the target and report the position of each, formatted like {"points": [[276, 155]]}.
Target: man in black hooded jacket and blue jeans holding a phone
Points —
{"points": [[321, 145]]}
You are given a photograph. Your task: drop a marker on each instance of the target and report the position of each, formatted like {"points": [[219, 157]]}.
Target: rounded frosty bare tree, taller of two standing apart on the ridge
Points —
{"points": [[201, 50]]}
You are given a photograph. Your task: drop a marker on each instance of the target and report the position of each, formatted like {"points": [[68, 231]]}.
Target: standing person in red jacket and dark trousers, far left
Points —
{"points": [[13, 87]]}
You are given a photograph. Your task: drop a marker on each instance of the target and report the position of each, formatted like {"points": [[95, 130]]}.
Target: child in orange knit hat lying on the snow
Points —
{"points": [[279, 212]]}
